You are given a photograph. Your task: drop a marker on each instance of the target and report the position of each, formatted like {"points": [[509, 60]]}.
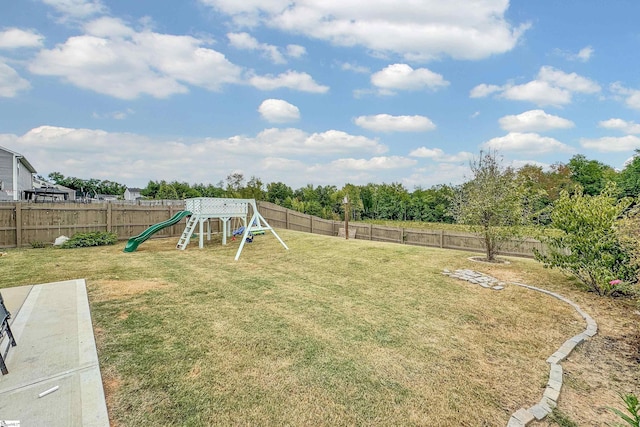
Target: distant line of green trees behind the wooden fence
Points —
{"points": [[385, 201]]}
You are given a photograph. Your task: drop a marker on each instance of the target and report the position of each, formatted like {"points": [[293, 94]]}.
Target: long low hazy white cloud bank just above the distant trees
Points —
{"points": [[135, 159]]}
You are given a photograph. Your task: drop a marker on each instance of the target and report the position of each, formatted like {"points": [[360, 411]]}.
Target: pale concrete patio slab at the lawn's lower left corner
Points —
{"points": [[56, 353]]}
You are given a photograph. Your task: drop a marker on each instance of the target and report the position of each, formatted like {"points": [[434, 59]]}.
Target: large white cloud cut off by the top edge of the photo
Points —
{"points": [[429, 29]]}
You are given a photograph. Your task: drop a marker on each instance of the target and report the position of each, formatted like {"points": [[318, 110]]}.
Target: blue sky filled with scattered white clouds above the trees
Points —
{"points": [[321, 92]]}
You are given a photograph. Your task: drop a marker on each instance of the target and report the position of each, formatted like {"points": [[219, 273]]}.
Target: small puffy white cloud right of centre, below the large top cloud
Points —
{"points": [[403, 77]]}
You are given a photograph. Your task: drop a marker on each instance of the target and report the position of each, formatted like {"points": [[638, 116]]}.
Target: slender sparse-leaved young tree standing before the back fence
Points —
{"points": [[493, 204]]}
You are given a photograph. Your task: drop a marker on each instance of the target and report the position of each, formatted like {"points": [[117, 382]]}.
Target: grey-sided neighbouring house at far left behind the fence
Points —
{"points": [[16, 175]]}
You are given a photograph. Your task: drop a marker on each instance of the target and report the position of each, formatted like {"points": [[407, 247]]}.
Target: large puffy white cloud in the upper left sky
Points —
{"points": [[120, 62]]}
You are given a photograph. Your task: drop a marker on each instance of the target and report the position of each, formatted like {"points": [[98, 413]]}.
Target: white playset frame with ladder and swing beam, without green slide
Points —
{"points": [[205, 208]]}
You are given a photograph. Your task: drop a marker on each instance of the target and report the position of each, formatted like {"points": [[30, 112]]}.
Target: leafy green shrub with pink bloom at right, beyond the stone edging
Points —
{"points": [[587, 242]]}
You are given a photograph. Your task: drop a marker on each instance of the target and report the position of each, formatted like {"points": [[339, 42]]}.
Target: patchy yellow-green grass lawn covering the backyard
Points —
{"points": [[333, 332]]}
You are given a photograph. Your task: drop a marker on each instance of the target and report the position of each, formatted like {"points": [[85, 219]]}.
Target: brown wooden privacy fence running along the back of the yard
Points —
{"points": [[23, 224]]}
